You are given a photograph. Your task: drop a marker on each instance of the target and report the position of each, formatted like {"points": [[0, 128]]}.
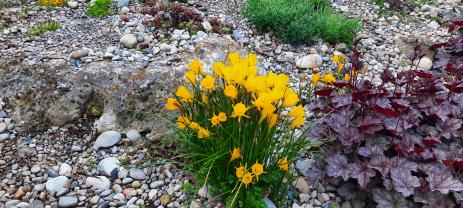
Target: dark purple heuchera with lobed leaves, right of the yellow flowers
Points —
{"points": [[401, 140]]}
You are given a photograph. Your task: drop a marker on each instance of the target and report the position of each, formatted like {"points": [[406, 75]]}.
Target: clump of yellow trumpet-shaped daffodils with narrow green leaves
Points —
{"points": [[241, 129]]}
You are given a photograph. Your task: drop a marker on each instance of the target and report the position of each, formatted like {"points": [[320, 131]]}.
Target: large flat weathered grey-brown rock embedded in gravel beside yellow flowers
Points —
{"points": [[54, 93]]}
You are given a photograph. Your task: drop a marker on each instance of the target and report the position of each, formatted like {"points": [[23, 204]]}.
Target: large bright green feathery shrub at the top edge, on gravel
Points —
{"points": [[299, 21]]}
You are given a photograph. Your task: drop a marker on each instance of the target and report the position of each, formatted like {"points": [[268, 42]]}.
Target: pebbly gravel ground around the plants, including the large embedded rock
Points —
{"points": [[81, 107]]}
